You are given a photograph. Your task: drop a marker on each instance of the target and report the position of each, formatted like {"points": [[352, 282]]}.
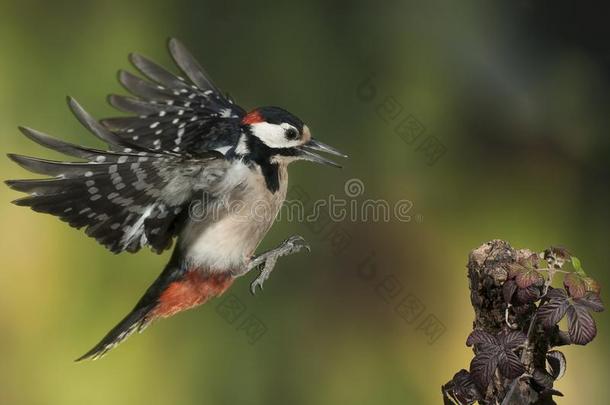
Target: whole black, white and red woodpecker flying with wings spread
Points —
{"points": [[188, 145]]}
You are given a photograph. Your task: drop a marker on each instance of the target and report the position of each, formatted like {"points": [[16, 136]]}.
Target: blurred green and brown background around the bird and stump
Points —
{"points": [[517, 92]]}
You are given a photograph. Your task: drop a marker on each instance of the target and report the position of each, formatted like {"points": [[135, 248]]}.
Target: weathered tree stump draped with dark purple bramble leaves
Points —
{"points": [[510, 295]]}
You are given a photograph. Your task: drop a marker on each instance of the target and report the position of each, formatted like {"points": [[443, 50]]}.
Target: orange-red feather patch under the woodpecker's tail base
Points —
{"points": [[194, 289]]}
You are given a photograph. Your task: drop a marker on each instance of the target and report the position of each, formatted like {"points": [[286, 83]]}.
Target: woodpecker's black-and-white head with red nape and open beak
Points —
{"points": [[275, 136]]}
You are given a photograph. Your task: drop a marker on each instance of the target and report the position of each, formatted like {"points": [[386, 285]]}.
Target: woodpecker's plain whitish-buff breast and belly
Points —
{"points": [[230, 233]]}
